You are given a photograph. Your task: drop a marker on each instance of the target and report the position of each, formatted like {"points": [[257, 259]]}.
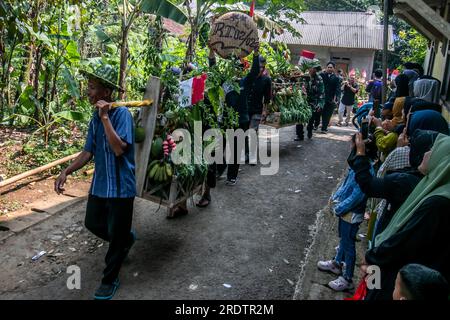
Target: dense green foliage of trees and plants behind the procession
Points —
{"points": [[45, 44]]}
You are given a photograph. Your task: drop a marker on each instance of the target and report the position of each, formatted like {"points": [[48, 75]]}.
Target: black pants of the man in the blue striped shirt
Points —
{"points": [[110, 219]]}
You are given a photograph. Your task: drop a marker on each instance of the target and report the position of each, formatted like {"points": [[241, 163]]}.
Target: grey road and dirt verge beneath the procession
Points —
{"points": [[248, 244]]}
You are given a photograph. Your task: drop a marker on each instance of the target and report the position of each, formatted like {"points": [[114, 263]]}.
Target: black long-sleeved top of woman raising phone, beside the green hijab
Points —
{"points": [[395, 186]]}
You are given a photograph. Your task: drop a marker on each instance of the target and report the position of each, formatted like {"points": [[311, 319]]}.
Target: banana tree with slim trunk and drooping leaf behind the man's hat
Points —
{"points": [[129, 11]]}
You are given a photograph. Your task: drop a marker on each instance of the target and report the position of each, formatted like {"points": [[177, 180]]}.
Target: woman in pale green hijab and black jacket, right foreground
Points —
{"points": [[418, 232]]}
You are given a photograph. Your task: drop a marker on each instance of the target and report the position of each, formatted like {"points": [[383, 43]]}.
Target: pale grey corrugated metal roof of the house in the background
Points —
{"points": [[337, 29]]}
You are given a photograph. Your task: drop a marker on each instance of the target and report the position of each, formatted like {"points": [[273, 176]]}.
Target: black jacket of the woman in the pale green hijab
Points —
{"points": [[423, 240]]}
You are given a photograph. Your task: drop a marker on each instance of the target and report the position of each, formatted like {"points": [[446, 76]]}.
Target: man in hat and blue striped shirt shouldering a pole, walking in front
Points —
{"points": [[110, 141]]}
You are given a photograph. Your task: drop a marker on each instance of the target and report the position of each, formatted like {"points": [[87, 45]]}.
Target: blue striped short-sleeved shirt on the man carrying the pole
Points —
{"points": [[114, 177]]}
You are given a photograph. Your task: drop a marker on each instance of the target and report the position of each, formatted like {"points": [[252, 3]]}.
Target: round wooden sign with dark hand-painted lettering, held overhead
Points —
{"points": [[234, 33]]}
